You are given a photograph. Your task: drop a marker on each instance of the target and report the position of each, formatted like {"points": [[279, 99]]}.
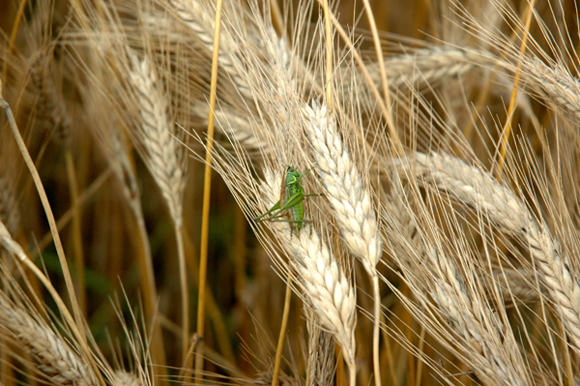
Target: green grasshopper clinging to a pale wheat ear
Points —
{"points": [[291, 198]]}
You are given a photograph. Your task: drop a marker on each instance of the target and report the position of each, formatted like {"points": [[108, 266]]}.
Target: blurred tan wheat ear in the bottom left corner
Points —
{"points": [[57, 360]]}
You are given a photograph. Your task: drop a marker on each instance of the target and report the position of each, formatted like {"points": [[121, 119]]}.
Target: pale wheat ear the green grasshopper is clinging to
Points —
{"points": [[324, 283]]}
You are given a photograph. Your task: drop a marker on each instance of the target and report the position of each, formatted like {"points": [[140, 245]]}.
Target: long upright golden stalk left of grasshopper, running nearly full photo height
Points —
{"points": [[206, 193]]}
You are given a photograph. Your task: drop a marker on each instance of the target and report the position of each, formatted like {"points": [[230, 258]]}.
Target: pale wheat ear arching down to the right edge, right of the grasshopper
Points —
{"points": [[479, 190]]}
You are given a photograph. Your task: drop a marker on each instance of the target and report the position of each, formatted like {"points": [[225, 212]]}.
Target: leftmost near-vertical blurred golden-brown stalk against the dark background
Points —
{"points": [[77, 238]]}
